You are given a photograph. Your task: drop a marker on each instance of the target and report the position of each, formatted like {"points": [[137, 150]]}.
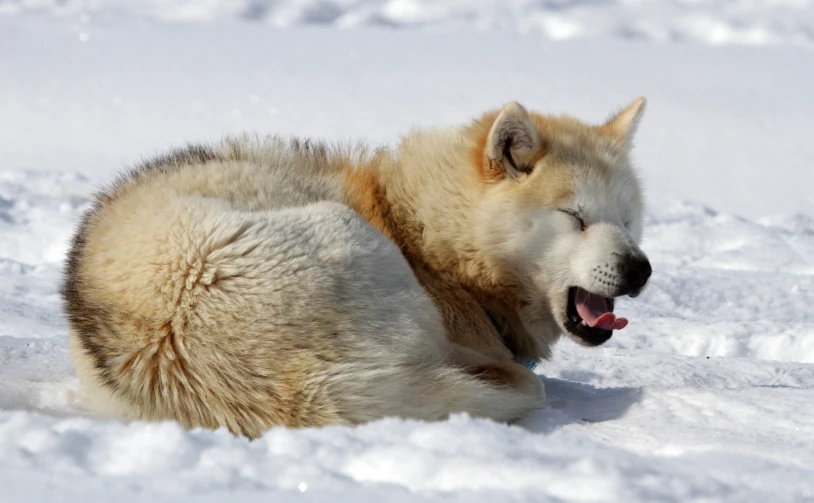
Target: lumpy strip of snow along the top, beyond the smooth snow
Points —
{"points": [[717, 22]]}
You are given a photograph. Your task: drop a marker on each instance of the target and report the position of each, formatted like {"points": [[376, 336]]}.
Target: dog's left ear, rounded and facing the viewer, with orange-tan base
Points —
{"points": [[513, 142]]}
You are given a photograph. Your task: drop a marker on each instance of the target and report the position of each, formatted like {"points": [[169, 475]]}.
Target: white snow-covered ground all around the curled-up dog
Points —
{"points": [[708, 395]]}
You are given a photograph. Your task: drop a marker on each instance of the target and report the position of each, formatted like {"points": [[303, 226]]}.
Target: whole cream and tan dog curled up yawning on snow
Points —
{"points": [[263, 281]]}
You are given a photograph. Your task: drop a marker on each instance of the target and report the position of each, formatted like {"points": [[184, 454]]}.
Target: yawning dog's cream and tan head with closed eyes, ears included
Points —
{"points": [[561, 209]]}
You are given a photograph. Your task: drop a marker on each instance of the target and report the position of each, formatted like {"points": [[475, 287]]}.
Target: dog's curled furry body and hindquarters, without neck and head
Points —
{"points": [[234, 286]]}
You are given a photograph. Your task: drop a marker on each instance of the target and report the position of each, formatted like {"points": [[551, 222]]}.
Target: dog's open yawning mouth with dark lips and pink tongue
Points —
{"points": [[590, 316]]}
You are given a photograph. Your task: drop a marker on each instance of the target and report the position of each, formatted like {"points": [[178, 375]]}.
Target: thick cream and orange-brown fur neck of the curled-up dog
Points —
{"points": [[418, 200]]}
